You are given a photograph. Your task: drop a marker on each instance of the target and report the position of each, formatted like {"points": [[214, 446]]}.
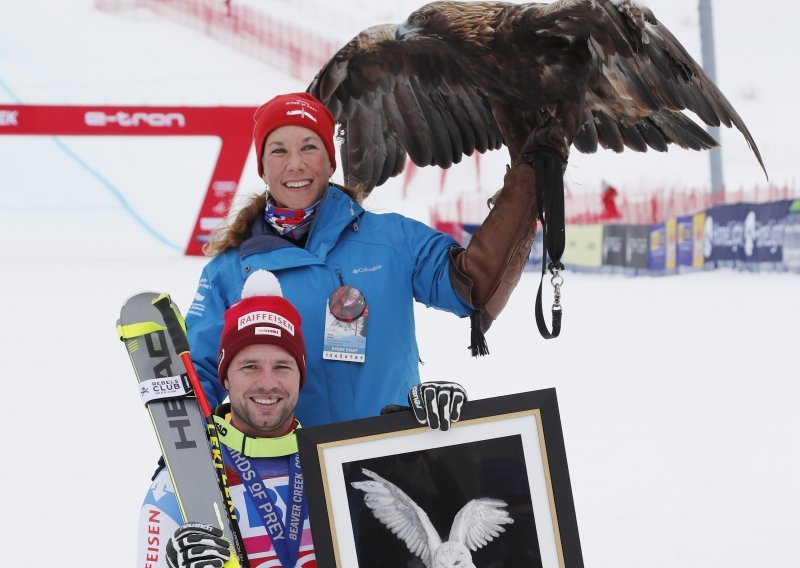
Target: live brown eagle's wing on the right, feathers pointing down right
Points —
{"points": [[644, 79]]}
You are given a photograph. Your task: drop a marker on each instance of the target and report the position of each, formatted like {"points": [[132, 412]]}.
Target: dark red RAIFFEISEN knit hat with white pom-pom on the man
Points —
{"points": [[262, 316]]}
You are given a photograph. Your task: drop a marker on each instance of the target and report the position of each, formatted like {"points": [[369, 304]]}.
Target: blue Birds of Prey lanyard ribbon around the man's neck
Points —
{"points": [[285, 542]]}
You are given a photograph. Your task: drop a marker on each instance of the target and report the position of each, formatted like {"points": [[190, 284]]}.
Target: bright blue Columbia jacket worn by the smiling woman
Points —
{"points": [[391, 259]]}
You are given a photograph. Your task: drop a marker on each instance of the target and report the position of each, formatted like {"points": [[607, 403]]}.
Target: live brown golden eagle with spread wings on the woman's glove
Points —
{"points": [[456, 77]]}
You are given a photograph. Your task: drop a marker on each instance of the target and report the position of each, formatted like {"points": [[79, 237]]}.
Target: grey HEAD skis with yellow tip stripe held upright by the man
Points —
{"points": [[153, 331]]}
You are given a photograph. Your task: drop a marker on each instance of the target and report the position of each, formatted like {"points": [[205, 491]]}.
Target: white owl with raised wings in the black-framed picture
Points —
{"points": [[476, 524]]}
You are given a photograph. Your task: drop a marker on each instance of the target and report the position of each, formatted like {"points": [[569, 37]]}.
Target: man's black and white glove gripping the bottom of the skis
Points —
{"points": [[195, 545]]}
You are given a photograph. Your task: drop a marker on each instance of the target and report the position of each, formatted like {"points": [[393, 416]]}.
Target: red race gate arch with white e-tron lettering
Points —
{"points": [[232, 125]]}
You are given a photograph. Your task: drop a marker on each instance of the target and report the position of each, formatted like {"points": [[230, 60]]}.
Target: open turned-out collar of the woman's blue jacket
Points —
{"points": [[335, 214]]}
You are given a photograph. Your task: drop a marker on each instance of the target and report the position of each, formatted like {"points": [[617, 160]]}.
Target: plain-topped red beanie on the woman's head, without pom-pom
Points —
{"points": [[298, 109]]}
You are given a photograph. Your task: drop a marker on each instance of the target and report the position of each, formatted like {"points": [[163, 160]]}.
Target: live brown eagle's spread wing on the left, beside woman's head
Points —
{"points": [[393, 99]]}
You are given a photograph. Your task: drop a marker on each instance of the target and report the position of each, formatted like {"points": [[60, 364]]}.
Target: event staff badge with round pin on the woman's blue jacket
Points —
{"points": [[346, 326]]}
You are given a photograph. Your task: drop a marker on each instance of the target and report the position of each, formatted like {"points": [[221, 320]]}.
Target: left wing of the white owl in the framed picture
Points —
{"points": [[400, 514]]}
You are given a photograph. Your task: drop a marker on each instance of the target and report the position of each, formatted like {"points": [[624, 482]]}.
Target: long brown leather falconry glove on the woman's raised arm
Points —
{"points": [[488, 270]]}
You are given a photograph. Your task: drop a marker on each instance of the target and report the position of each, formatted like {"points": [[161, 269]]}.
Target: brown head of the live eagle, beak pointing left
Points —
{"points": [[467, 21]]}
